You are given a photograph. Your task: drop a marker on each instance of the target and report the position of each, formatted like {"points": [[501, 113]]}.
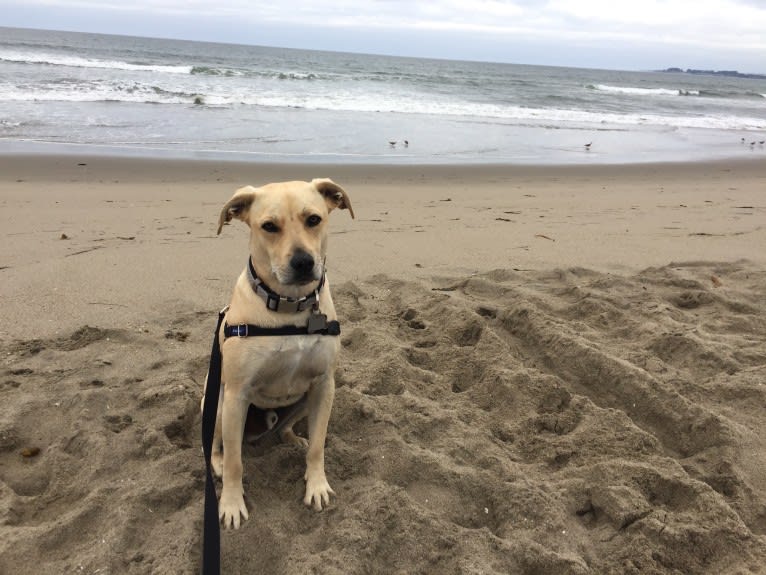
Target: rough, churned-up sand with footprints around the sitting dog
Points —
{"points": [[510, 422]]}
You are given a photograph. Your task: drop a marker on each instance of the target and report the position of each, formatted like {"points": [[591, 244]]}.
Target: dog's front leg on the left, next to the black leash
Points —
{"points": [[232, 503]]}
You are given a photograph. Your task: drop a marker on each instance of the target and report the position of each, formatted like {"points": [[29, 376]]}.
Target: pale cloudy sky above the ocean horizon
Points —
{"points": [[617, 34]]}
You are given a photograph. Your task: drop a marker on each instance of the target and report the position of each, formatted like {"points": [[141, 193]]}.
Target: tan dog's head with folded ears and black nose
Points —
{"points": [[288, 229]]}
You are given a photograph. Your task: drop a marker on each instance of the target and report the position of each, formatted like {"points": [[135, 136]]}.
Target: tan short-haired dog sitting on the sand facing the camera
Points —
{"points": [[288, 242]]}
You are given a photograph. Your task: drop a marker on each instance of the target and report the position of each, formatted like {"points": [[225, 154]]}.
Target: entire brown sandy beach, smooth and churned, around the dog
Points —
{"points": [[544, 370]]}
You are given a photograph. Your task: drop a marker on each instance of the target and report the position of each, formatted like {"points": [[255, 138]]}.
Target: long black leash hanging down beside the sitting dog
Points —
{"points": [[211, 543]]}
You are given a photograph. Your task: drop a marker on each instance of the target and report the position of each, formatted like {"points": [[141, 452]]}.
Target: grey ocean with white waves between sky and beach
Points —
{"points": [[62, 91]]}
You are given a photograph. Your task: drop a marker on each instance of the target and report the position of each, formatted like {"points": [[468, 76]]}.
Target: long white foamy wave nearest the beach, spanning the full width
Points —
{"points": [[560, 111]]}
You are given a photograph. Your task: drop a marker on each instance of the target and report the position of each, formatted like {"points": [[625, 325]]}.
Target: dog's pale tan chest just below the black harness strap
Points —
{"points": [[277, 371]]}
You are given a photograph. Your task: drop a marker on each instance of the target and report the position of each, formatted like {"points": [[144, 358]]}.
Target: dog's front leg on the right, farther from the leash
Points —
{"points": [[320, 400]]}
